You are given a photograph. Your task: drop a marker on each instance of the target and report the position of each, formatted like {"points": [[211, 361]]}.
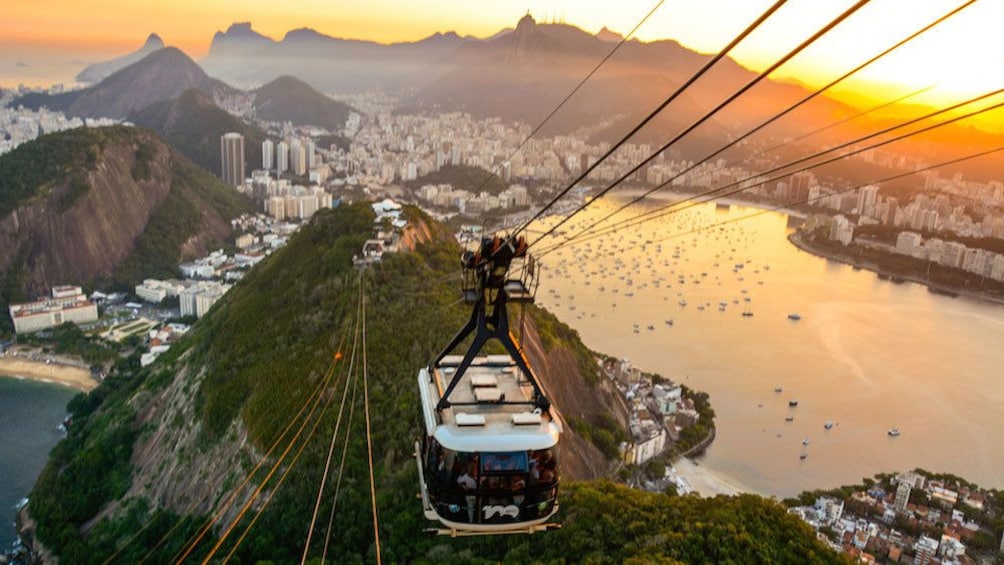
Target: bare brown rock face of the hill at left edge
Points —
{"points": [[81, 226]]}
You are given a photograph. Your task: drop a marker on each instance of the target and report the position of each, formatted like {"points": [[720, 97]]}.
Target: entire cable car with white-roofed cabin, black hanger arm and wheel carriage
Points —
{"points": [[488, 461]]}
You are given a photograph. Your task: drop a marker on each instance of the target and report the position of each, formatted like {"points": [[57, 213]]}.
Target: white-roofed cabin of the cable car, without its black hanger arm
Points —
{"points": [[488, 462]]}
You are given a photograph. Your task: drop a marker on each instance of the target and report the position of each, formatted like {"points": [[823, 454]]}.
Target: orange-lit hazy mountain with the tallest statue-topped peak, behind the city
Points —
{"points": [[523, 76]]}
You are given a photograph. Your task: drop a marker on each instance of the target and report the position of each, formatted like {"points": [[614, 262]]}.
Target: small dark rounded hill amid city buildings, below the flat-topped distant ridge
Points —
{"points": [[291, 100]]}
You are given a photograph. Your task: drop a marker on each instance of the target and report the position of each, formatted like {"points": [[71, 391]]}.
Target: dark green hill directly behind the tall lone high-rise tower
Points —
{"points": [[193, 125]]}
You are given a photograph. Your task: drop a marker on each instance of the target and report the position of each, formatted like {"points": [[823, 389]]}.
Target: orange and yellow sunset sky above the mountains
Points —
{"points": [[962, 57]]}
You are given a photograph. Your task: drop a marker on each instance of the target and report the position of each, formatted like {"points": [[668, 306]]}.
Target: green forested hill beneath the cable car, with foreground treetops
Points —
{"points": [[153, 453]]}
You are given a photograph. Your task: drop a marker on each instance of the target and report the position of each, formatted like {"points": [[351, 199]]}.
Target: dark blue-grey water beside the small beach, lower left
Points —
{"points": [[30, 416]]}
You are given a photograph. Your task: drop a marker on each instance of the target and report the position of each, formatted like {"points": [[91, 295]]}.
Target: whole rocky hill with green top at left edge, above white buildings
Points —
{"points": [[104, 207]]}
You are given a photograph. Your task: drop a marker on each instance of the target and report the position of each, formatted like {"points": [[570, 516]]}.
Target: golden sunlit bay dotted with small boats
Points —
{"points": [[868, 355]]}
